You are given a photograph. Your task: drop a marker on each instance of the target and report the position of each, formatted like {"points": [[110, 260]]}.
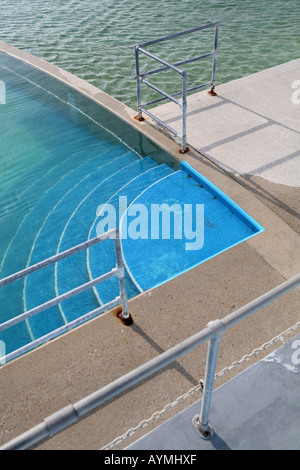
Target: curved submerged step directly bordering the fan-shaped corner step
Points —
{"points": [[104, 254]]}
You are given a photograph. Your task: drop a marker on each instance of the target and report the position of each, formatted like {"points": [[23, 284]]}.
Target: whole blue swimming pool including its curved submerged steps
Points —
{"points": [[64, 161]]}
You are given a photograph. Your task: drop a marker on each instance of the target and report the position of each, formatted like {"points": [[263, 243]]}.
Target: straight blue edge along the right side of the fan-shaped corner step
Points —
{"points": [[233, 206]]}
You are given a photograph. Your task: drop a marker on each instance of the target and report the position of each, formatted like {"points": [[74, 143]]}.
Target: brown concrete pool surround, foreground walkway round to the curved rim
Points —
{"points": [[91, 356]]}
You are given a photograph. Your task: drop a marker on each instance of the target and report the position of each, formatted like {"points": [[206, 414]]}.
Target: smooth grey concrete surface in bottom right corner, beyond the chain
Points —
{"points": [[257, 410]]}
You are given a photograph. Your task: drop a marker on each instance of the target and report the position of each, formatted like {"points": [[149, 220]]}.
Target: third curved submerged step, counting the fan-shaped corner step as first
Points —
{"points": [[73, 271]]}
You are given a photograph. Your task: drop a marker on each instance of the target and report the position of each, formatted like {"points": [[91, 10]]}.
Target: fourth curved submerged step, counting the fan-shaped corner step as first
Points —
{"points": [[40, 286]]}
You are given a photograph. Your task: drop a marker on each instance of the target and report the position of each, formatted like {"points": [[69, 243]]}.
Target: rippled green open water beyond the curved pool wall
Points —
{"points": [[94, 39]]}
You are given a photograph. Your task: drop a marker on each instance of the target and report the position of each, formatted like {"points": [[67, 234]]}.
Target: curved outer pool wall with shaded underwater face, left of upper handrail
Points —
{"points": [[82, 96]]}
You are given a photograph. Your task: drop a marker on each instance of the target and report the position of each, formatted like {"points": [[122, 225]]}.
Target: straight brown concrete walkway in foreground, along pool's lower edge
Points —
{"points": [[89, 357]]}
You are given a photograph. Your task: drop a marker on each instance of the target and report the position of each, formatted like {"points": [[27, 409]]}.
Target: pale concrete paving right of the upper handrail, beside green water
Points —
{"points": [[251, 127]]}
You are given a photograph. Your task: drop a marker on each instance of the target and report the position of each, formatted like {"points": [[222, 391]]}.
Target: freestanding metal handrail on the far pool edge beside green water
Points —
{"points": [[140, 77]]}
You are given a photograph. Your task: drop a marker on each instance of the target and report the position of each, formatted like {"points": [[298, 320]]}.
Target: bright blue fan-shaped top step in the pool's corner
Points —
{"points": [[206, 222]]}
